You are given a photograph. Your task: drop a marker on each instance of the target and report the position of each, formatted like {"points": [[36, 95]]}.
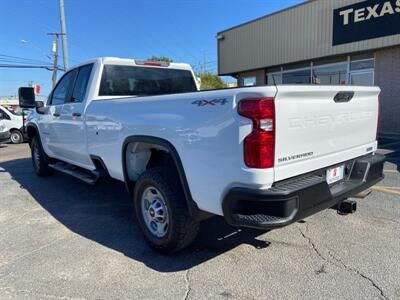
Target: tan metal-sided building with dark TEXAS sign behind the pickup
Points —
{"points": [[328, 42]]}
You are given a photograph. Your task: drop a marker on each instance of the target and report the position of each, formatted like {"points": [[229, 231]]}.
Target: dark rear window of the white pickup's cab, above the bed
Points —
{"points": [[120, 80]]}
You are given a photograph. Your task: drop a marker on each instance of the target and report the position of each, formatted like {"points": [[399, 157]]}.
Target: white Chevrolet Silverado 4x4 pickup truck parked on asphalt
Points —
{"points": [[261, 157]]}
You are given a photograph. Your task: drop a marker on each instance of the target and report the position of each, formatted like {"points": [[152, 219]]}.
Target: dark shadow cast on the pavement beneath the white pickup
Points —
{"points": [[103, 213]]}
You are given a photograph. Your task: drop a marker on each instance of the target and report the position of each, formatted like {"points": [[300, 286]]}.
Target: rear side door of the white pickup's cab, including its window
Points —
{"points": [[73, 142]]}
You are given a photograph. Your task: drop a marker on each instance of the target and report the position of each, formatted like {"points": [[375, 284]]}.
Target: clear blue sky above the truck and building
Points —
{"points": [[181, 29]]}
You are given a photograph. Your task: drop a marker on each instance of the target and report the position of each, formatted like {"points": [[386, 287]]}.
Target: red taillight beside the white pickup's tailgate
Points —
{"points": [[259, 145]]}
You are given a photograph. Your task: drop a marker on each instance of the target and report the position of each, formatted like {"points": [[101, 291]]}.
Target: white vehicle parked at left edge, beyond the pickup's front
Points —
{"points": [[14, 123]]}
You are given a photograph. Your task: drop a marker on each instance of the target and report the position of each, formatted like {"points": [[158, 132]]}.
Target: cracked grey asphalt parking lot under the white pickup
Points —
{"points": [[63, 239]]}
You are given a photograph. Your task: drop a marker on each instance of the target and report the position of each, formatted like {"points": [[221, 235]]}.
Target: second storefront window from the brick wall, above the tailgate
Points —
{"points": [[334, 74]]}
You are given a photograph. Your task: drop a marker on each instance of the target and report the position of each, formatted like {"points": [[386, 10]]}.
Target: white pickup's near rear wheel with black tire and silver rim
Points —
{"points": [[162, 212]]}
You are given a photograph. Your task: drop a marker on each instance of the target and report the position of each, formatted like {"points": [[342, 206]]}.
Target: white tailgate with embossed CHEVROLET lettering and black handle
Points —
{"points": [[319, 126]]}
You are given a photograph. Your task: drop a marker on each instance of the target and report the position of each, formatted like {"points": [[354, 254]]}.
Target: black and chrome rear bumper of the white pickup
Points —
{"points": [[294, 199]]}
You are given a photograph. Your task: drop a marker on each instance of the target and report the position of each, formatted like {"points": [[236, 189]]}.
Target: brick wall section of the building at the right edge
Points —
{"points": [[387, 77]]}
